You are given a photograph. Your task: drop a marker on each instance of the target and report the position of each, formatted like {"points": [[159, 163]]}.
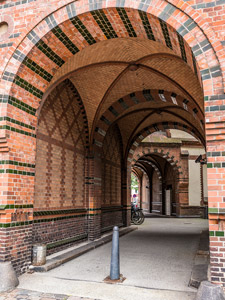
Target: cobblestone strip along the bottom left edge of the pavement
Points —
{"points": [[21, 294]]}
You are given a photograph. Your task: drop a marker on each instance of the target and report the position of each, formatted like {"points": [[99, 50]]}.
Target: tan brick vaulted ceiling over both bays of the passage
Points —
{"points": [[102, 84]]}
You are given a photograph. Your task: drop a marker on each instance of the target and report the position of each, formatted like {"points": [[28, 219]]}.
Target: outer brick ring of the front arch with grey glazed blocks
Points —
{"points": [[186, 22]]}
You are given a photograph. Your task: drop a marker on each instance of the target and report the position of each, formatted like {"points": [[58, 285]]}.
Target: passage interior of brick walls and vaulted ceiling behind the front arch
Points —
{"points": [[103, 107]]}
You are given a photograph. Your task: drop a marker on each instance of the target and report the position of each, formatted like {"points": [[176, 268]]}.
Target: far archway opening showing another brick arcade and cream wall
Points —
{"points": [[170, 159]]}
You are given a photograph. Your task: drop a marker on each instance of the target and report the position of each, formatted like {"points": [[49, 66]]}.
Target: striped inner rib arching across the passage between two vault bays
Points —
{"points": [[152, 100]]}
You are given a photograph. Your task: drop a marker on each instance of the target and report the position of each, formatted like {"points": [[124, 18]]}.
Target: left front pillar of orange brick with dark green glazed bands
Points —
{"points": [[17, 163]]}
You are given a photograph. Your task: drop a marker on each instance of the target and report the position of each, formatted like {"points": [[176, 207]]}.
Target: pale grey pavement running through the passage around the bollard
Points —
{"points": [[156, 260]]}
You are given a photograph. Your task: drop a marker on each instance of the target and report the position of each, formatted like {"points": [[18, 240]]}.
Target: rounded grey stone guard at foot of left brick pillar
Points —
{"points": [[8, 277]]}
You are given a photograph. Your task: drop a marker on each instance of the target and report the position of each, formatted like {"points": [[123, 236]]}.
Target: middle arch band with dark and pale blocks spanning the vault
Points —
{"points": [[121, 105]]}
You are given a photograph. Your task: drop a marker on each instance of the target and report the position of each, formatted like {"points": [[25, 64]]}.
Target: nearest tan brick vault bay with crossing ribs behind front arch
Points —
{"points": [[103, 79]]}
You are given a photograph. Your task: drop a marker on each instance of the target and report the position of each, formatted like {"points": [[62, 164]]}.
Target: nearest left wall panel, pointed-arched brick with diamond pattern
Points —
{"points": [[60, 171]]}
